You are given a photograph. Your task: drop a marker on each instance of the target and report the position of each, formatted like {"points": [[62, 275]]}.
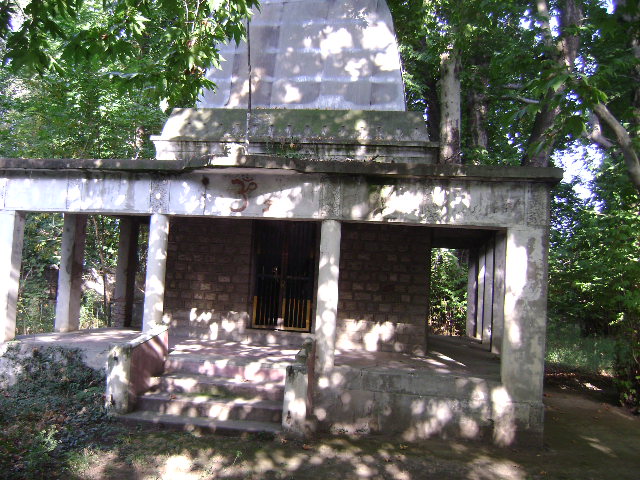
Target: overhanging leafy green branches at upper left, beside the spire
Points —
{"points": [[161, 46]]}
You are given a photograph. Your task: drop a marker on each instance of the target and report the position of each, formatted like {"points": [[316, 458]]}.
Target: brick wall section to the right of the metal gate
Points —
{"points": [[383, 288]]}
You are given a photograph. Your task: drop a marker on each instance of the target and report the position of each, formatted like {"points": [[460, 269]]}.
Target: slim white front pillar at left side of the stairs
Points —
{"points": [[156, 269]]}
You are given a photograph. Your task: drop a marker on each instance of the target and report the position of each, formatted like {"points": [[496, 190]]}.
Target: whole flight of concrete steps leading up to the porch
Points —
{"points": [[214, 391]]}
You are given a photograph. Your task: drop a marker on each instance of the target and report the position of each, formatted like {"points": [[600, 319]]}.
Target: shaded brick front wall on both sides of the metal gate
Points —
{"points": [[383, 283]]}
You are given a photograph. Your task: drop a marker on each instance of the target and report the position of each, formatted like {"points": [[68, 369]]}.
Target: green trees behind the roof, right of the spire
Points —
{"points": [[534, 76]]}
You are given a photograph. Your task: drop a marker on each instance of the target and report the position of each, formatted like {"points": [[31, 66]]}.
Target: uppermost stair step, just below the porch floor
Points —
{"points": [[224, 367]]}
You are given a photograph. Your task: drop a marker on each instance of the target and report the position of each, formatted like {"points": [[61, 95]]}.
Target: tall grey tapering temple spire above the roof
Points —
{"points": [[312, 54]]}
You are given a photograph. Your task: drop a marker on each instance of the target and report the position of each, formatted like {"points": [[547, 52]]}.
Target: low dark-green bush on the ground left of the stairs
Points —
{"points": [[54, 409]]}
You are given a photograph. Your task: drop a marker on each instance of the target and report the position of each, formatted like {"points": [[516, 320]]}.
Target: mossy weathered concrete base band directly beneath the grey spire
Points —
{"points": [[225, 136]]}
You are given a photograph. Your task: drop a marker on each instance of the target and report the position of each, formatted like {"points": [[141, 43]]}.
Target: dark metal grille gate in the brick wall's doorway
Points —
{"points": [[284, 275]]}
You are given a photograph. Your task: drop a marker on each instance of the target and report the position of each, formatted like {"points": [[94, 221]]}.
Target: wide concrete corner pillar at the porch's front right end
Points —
{"points": [[525, 314]]}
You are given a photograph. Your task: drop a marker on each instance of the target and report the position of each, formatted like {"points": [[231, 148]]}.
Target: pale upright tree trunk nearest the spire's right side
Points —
{"points": [[450, 107]]}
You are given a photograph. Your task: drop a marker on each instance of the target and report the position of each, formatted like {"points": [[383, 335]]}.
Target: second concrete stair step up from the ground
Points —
{"points": [[211, 407]]}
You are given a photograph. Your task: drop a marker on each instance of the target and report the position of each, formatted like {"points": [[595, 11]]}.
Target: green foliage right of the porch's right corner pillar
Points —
{"points": [[594, 267]]}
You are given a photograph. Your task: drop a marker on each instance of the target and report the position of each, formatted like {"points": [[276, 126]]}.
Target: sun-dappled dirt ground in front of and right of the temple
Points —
{"points": [[586, 437]]}
